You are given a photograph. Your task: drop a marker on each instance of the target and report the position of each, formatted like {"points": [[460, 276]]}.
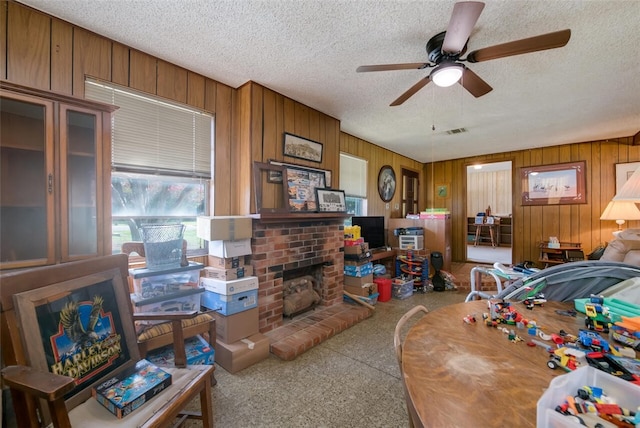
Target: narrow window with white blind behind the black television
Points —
{"points": [[353, 180]]}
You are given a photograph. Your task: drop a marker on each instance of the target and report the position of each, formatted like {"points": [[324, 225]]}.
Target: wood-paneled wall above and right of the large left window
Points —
{"points": [[44, 52]]}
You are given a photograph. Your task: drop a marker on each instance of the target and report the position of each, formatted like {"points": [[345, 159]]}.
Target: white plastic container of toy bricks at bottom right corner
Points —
{"points": [[623, 393]]}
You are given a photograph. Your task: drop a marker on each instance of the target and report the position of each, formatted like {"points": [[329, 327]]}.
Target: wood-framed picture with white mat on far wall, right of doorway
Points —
{"points": [[558, 184]]}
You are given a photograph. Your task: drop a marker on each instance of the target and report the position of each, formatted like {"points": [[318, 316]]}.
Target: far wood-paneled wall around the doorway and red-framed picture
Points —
{"points": [[532, 224]]}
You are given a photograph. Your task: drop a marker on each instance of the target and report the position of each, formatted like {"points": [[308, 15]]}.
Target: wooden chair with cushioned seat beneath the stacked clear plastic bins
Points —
{"points": [[163, 334]]}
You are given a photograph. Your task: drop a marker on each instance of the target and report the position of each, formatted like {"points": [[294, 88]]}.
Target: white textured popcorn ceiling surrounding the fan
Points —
{"points": [[309, 50]]}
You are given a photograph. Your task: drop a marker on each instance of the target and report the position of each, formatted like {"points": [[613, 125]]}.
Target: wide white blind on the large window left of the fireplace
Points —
{"points": [[153, 135]]}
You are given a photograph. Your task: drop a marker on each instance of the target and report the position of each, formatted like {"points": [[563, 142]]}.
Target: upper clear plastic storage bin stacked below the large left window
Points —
{"points": [[148, 283]]}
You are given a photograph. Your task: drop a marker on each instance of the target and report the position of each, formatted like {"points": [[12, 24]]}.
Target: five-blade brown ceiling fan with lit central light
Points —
{"points": [[445, 50]]}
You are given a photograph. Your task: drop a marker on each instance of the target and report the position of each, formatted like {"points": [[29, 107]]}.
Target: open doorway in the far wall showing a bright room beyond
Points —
{"points": [[489, 213]]}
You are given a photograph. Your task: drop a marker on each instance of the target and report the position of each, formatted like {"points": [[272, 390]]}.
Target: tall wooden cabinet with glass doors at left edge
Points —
{"points": [[55, 182]]}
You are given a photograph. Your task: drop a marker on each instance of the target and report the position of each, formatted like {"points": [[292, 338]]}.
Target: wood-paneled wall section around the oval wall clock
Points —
{"points": [[378, 157]]}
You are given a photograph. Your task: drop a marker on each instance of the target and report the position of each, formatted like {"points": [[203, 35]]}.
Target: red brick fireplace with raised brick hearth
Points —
{"points": [[300, 243]]}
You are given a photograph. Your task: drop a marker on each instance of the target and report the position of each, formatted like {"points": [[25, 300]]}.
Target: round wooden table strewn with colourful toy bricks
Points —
{"points": [[471, 375]]}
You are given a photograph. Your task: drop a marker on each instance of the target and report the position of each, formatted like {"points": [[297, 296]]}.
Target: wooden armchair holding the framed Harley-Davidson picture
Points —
{"points": [[40, 396]]}
